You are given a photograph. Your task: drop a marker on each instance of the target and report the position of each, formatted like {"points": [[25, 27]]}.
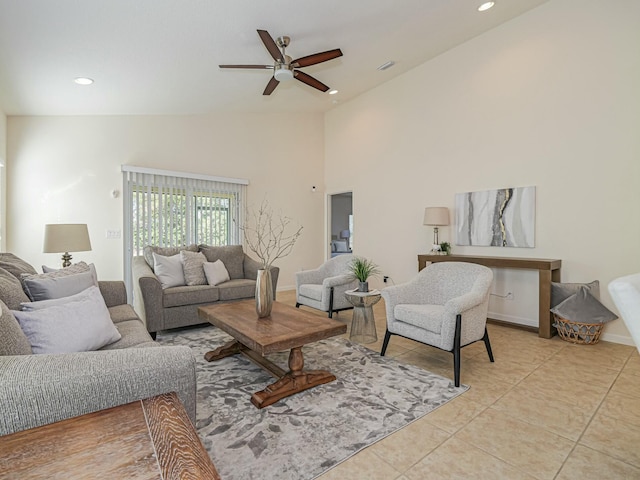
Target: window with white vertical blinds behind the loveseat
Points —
{"points": [[170, 209]]}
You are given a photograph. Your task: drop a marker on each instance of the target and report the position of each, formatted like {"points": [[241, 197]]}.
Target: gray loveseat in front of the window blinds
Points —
{"points": [[173, 307]]}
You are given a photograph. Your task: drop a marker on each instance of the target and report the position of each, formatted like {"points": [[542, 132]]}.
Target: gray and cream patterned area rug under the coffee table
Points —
{"points": [[302, 436]]}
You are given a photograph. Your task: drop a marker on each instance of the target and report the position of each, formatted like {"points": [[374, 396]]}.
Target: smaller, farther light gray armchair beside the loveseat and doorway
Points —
{"points": [[323, 288]]}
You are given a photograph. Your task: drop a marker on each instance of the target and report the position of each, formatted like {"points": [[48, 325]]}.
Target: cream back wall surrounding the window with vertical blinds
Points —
{"points": [[63, 169]]}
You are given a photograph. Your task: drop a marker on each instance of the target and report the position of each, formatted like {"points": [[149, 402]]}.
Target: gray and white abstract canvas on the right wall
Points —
{"points": [[497, 218]]}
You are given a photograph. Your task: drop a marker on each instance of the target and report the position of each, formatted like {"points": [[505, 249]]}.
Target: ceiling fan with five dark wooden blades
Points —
{"points": [[284, 67]]}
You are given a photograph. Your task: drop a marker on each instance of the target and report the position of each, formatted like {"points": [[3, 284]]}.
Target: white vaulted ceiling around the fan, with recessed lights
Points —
{"points": [[162, 56]]}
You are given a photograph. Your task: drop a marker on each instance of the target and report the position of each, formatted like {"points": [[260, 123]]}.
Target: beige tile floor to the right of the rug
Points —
{"points": [[546, 409]]}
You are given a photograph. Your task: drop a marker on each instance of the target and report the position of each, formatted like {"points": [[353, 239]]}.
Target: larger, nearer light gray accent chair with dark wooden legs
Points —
{"points": [[444, 306]]}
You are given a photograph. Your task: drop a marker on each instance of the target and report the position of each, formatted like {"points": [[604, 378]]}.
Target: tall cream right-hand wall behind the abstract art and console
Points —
{"points": [[550, 99]]}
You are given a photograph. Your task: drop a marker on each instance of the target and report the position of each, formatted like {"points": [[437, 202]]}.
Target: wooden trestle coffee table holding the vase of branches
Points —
{"points": [[286, 328]]}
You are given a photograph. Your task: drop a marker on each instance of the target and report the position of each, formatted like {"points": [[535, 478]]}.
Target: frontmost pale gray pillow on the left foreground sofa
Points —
{"points": [[75, 326]]}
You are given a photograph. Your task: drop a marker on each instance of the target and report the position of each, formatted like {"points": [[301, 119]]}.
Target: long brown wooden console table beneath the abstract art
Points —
{"points": [[548, 271]]}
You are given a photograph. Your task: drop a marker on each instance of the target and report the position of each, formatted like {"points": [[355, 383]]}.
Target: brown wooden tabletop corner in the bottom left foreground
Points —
{"points": [[148, 439]]}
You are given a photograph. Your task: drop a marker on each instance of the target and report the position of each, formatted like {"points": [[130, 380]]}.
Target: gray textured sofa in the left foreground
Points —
{"points": [[37, 389]]}
